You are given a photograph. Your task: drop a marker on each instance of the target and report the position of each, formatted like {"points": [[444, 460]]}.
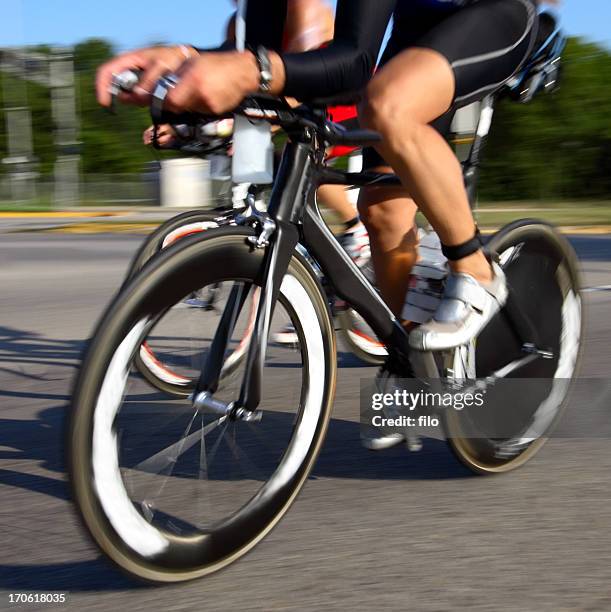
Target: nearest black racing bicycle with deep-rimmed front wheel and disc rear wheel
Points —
{"points": [[200, 482]]}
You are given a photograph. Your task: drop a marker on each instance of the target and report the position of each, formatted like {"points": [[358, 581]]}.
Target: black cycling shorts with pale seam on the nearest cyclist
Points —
{"points": [[486, 43]]}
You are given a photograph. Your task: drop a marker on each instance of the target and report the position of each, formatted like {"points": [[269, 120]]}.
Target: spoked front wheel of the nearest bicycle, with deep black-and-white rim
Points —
{"points": [[169, 492]]}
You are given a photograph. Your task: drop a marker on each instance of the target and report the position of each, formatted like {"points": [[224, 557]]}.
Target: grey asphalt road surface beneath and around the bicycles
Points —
{"points": [[388, 531]]}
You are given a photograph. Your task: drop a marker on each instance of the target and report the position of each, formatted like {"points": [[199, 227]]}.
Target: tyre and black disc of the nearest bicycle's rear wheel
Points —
{"points": [[564, 328]]}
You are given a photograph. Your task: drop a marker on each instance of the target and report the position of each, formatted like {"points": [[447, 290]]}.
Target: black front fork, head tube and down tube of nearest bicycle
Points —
{"points": [[293, 209]]}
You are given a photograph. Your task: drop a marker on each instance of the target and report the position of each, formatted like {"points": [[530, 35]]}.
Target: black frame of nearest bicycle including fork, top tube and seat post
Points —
{"points": [[295, 218]]}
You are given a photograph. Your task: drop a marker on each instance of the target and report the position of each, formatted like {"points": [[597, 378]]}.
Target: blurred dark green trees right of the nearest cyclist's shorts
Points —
{"points": [[558, 145]]}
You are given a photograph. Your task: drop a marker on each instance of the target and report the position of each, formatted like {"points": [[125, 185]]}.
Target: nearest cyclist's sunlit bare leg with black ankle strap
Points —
{"points": [[419, 154]]}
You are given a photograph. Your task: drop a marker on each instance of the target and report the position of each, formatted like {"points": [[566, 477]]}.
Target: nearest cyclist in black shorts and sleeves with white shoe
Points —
{"points": [[442, 54]]}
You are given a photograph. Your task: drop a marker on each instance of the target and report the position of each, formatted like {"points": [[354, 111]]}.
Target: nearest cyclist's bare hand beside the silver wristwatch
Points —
{"points": [[214, 83]]}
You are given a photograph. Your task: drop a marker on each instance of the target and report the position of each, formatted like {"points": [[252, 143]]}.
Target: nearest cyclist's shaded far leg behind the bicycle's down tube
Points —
{"points": [[389, 216]]}
